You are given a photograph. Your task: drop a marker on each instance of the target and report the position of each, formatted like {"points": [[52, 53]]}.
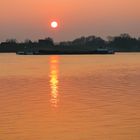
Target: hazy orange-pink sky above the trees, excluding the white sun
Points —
{"points": [[24, 19]]}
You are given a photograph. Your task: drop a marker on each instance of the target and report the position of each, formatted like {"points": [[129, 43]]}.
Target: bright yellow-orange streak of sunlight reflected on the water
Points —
{"points": [[54, 80]]}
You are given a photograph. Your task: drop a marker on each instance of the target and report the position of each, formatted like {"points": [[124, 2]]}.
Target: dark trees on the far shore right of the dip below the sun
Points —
{"points": [[121, 43]]}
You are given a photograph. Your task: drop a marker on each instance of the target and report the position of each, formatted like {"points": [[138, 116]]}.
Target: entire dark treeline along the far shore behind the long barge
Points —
{"points": [[121, 43]]}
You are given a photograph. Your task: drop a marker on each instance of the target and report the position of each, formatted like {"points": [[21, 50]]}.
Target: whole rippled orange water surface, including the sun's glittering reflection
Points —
{"points": [[91, 97]]}
